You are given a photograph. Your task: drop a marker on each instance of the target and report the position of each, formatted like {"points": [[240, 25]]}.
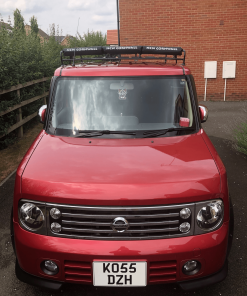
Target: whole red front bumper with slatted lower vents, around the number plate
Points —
{"points": [[165, 257]]}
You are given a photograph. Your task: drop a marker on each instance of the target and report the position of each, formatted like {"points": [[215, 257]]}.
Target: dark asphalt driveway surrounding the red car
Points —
{"points": [[224, 117]]}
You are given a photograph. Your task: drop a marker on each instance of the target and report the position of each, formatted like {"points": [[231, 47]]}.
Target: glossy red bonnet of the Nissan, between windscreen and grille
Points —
{"points": [[121, 171]]}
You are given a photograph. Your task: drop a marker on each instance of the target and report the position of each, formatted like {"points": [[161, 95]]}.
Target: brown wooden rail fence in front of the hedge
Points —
{"points": [[21, 121]]}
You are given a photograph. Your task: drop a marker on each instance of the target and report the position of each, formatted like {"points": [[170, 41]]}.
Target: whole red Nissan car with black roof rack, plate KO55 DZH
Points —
{"points": [[122, 187]]}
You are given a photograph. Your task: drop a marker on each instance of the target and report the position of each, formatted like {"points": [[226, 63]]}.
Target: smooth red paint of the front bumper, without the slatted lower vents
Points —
{"points": [[33, 248]]}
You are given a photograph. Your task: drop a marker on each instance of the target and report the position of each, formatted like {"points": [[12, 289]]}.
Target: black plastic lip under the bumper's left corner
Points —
{"points": [[36, 281]]}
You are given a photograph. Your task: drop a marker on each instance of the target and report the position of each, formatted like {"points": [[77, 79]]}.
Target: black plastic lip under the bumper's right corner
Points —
{"points": [[206, 281]]}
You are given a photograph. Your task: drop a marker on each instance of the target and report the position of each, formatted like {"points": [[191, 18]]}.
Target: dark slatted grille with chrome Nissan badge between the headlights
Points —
{"points": [[150, 222]]}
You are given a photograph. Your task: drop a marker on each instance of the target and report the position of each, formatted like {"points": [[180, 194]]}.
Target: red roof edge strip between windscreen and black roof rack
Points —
{"points": [[122, 70]]}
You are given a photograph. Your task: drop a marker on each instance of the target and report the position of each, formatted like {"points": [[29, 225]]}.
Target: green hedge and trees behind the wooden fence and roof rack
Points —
{"points": [[24, 58]]}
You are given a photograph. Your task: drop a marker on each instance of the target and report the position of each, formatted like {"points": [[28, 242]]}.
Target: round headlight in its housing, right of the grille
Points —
{"points": [[209, 215]]}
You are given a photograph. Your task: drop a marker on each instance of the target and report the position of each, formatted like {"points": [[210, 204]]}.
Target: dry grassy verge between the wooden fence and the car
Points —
{"points": [[12, 156]]}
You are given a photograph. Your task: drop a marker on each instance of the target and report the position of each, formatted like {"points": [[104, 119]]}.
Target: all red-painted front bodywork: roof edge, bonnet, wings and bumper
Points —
{"points": [[98, 171]]}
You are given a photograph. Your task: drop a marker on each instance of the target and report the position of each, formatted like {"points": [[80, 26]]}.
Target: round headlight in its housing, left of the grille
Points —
{"points": [[32, 216]]}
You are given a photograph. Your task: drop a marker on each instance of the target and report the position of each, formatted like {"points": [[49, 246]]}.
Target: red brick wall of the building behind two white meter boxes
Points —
{"points": [[196, 26]]}
